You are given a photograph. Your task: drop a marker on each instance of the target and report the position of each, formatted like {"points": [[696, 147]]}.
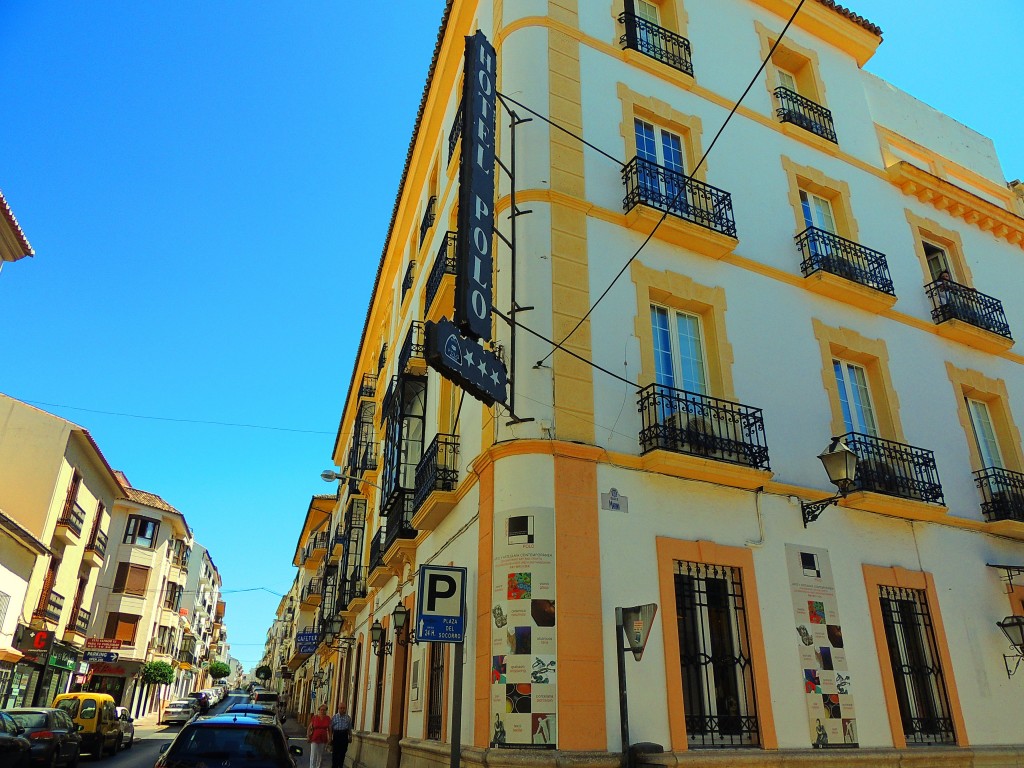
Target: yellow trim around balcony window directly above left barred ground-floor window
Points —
{"points": [[680, 292]]}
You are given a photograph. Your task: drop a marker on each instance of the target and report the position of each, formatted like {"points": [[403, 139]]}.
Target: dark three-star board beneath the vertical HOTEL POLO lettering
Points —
{"points": [[465, 362]]}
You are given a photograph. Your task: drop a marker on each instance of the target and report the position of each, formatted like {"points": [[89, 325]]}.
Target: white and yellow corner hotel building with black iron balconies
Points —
{"points": [[839, 268]]}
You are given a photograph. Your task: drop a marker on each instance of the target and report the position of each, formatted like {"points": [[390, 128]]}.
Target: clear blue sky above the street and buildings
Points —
{"points": [[208, 186]]}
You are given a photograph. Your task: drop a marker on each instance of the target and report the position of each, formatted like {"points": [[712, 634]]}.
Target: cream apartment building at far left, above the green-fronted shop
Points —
{"points": [[57, 491]]}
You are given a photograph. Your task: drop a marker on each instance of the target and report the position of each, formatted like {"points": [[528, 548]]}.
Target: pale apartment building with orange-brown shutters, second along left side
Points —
{"points": [[141, 596]]}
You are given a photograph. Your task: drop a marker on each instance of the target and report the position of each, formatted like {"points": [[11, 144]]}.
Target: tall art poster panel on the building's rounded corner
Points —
{"points": [[524, 670]]}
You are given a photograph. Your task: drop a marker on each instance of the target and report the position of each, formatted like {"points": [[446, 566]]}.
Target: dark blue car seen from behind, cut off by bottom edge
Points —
{"points": [[235, 740]]}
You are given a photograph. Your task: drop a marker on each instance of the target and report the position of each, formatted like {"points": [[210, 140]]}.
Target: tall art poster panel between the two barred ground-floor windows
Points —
{"points": [[828, 689]]}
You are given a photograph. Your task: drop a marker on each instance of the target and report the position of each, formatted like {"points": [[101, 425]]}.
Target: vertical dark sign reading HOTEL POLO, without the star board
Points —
{"points": [[474, 294]]}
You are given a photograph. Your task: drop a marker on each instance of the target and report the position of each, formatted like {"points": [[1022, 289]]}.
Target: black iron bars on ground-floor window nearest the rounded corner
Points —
{"points": [[719, 704]]}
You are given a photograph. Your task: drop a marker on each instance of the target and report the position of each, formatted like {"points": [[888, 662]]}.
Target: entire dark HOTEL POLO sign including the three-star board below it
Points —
{"points": [[454, 349]]}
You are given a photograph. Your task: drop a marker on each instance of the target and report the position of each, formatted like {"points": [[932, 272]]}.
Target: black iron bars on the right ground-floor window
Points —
{"points": [[921, 686]]}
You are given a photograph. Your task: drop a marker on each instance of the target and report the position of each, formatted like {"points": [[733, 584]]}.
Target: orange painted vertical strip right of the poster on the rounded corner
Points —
{"points": [[581, 693]]}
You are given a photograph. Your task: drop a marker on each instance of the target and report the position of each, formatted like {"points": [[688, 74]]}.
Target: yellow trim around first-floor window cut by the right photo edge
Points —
{"points": [[996, 396]]}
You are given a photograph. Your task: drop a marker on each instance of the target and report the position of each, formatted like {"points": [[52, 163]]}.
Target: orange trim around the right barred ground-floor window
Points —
{"points": [[877, 576]]}
